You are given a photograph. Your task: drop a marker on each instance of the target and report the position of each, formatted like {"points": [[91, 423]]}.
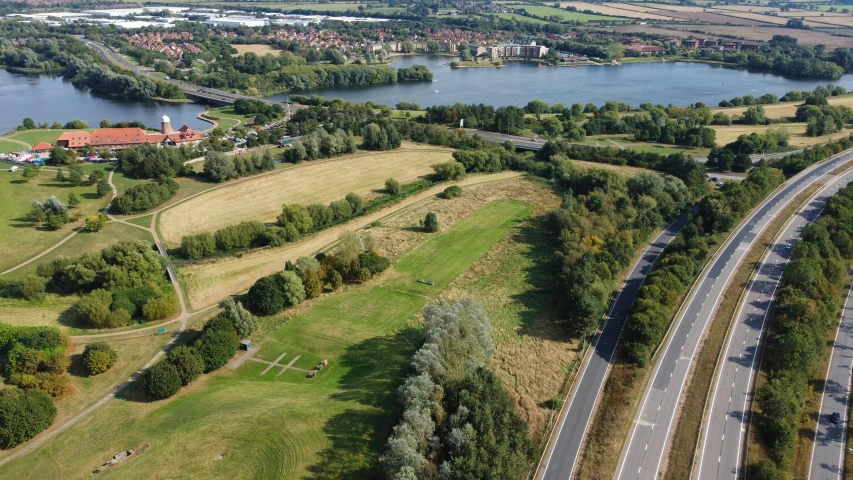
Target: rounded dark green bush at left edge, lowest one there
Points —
{"points": [[23, 415]]}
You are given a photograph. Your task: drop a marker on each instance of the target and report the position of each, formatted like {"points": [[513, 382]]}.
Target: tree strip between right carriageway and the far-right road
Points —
{"points": [[805, 310]]}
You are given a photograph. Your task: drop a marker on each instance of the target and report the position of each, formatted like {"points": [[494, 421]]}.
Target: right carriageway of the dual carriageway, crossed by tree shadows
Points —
{"points": [[727, 414]]}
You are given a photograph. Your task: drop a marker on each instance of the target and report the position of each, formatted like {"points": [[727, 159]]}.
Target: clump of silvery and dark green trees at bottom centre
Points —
{"points": [[456, 412]]}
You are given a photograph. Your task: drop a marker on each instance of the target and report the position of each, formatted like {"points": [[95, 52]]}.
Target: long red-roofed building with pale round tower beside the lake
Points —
{"points": [[117, 138]]}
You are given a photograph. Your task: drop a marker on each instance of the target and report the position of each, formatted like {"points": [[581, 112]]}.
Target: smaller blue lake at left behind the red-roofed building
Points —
{"points": [[46, 98]]}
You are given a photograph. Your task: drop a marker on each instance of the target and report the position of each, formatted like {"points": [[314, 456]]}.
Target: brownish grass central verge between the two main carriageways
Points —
{"points": [[689, 422]]}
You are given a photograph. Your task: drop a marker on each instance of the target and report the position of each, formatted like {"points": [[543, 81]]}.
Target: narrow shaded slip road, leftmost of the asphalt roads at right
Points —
{"points": [[562, 453]]}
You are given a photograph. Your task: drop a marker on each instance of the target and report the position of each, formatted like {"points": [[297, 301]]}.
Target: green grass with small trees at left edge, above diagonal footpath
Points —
{"points": [[19, 238]]}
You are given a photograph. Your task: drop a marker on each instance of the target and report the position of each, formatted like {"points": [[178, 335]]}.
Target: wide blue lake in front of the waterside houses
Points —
{"points": [[519, 82]]}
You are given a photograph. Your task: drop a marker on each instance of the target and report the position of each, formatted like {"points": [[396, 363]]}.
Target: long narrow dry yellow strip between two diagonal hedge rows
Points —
{"points": [[209, 282]]}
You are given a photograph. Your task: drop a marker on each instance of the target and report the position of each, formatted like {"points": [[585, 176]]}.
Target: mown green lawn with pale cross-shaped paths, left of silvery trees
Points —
{"points": [[243, 425]]}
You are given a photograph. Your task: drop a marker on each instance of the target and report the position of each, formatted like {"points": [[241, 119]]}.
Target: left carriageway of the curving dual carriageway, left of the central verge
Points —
{"points": [[648, 441]]}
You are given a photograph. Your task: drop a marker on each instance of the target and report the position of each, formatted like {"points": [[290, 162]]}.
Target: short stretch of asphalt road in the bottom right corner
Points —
{"points": [[830, 439]]}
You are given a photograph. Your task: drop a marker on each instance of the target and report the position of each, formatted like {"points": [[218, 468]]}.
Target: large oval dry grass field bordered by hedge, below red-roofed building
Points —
{"points": [[261, 197]]}
